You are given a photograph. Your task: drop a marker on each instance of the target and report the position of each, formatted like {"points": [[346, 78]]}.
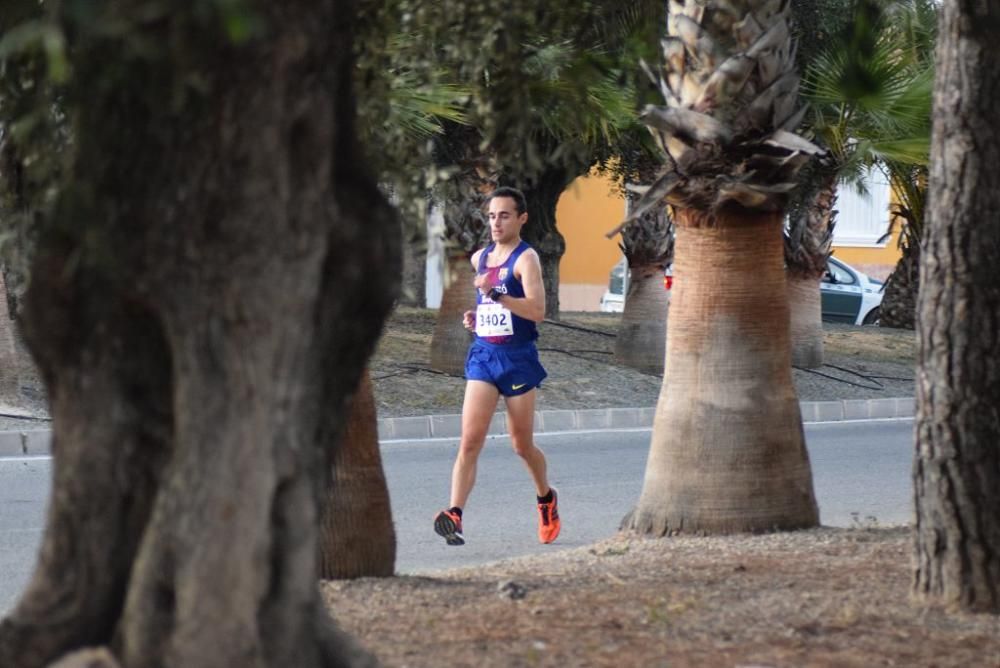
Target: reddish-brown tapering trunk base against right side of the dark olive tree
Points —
{"points": [[357, 538]]}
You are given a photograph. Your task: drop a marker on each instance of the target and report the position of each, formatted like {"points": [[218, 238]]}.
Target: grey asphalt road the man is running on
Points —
{"points": [[861, 472]]}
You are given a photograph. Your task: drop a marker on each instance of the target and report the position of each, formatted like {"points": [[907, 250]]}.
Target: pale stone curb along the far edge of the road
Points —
{"points": [[38, 442]]}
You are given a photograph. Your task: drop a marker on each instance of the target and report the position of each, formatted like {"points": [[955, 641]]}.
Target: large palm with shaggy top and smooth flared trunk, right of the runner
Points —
{"points": [[727, 451]]}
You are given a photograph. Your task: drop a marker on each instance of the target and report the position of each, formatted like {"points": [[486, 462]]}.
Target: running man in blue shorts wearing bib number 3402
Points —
{"points": [[503, 360]]}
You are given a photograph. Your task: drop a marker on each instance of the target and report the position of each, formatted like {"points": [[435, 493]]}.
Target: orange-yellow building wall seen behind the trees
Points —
{"points": [[591, 206]]}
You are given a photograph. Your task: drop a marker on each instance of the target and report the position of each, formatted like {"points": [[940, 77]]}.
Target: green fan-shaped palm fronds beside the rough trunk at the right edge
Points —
{"points": [[870, 98]]}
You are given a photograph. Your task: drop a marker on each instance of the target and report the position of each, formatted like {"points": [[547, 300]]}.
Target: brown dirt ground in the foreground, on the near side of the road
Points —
{"points": [[824, 598]]}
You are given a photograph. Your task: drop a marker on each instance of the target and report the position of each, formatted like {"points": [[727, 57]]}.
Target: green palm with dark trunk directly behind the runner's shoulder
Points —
{"points": [[553, 99]]}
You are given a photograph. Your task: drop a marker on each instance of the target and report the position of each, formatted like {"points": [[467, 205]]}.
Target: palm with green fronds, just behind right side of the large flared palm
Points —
{"points": [[869, 104]]}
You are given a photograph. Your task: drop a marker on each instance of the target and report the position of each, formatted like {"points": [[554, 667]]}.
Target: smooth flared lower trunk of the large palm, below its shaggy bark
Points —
{"points": [[727, 452]]}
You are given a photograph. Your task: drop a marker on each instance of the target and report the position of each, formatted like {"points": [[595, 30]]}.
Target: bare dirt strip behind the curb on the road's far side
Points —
{"points": [[577, 352]]}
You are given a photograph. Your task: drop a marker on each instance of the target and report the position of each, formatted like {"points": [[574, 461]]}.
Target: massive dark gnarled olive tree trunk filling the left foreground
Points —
{"points": [[202, 306]]}
